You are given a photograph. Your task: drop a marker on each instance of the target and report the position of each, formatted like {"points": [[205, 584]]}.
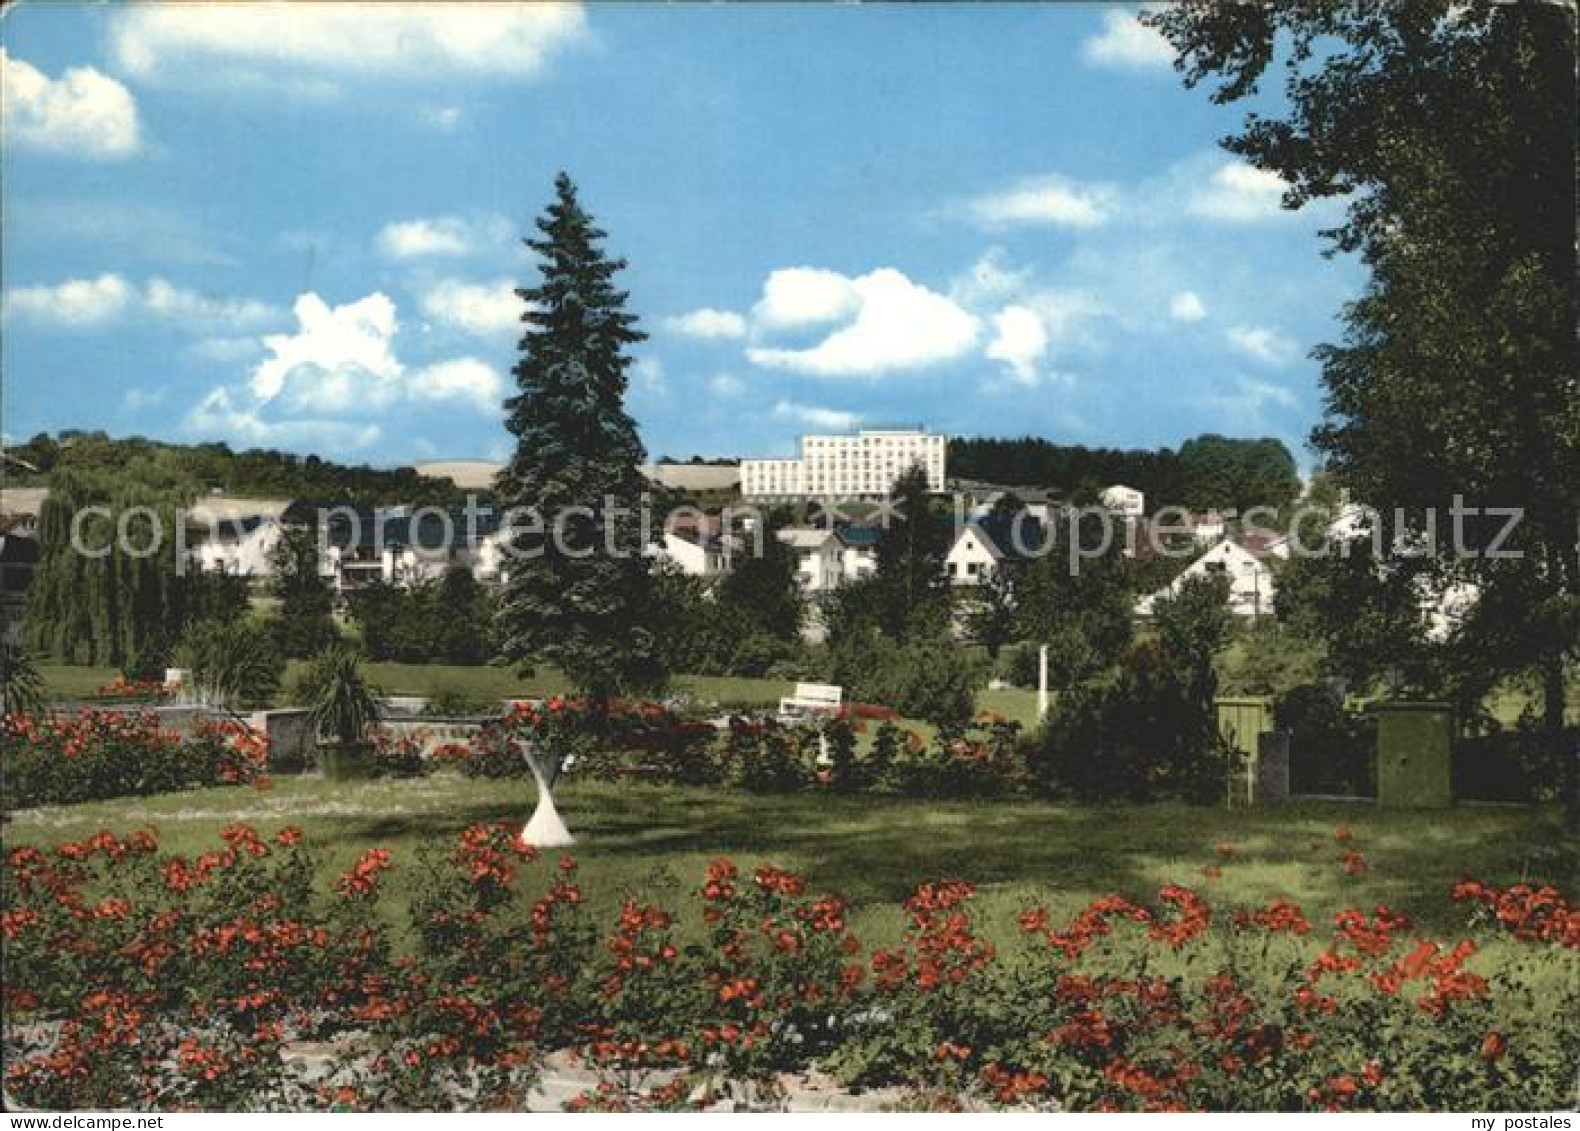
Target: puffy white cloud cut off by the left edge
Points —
{"points": [[80, 115]]}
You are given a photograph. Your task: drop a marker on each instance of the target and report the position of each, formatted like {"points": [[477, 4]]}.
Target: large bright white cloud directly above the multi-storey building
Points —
{"points": [[893, 323]]}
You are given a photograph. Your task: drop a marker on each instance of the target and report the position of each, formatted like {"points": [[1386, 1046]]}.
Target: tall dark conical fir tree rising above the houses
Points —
{"points": [[581, 593]]}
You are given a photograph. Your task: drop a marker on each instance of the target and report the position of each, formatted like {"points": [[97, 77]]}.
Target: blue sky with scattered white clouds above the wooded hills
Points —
{"points": [[299, 227]]}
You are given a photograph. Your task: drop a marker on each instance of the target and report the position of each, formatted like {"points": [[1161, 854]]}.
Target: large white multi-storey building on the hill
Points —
{"points": [[851, 467]]}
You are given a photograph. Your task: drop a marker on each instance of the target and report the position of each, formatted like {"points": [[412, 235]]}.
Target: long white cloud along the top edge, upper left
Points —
{"points": [[432, 42]]}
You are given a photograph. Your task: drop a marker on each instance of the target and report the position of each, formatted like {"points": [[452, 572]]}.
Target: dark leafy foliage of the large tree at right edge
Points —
{"points": [[1450, 133]]}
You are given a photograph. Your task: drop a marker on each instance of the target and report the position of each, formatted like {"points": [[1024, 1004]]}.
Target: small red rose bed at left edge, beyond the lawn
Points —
{"points": [[113, 754]]}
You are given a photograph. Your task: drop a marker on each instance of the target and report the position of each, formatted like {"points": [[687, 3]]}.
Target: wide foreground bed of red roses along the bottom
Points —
{"points": [[149, 980]]}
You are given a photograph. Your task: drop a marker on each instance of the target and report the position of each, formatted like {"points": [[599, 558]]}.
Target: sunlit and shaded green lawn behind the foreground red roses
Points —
{"points": [[653, 843]]}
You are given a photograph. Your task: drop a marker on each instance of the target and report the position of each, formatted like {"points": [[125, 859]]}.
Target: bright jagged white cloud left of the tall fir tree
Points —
{"points": [[336, 356]]}
